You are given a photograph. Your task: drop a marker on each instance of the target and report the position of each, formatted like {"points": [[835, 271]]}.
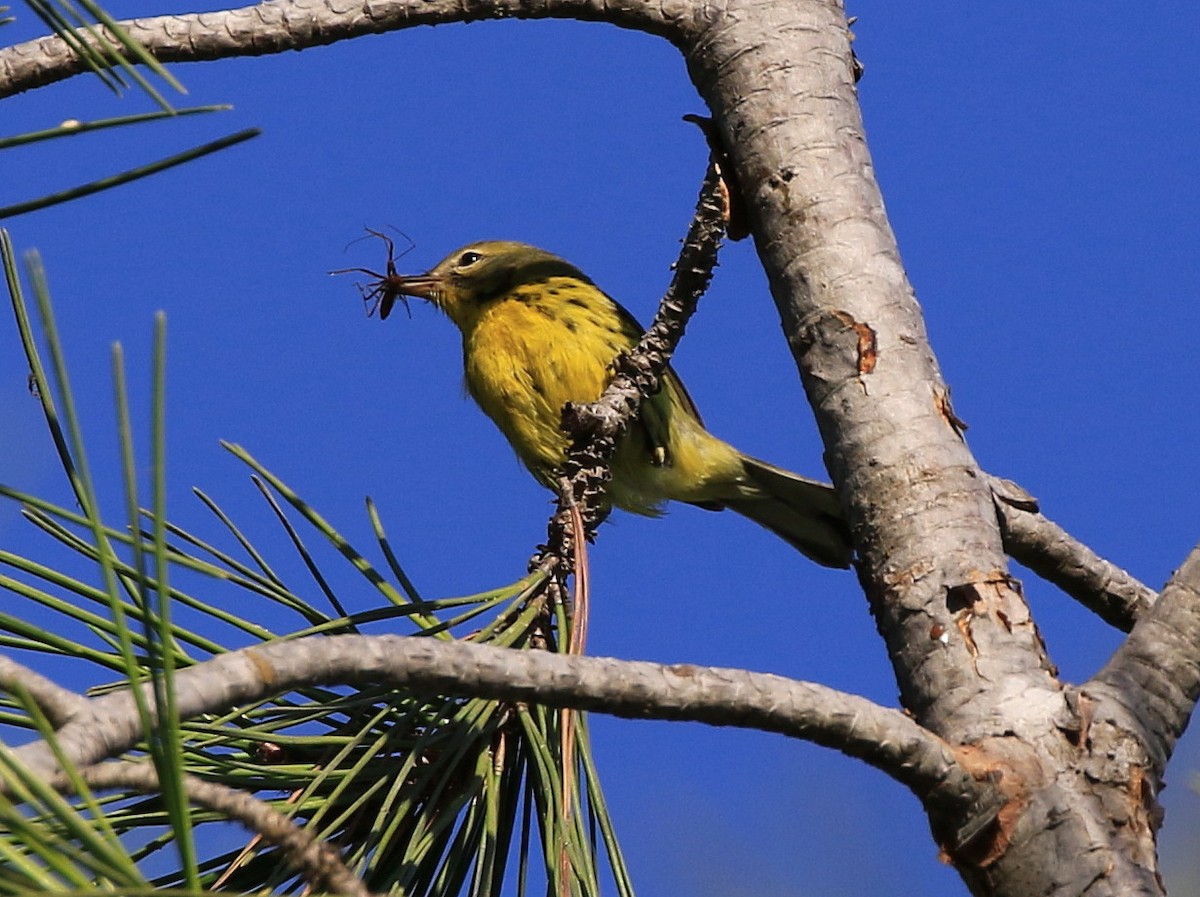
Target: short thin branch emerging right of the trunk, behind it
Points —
{"points": [[1054, 555]]}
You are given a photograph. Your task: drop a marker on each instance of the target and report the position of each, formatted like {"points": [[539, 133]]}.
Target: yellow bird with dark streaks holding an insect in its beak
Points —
{"points": [[538, 334]]}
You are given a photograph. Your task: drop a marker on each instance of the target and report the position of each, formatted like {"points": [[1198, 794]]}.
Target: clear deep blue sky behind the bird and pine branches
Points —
{"points": [[1040, 170]]}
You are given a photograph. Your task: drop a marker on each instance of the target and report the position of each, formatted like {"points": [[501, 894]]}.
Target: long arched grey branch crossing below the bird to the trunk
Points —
{"points": [[855, 726]]}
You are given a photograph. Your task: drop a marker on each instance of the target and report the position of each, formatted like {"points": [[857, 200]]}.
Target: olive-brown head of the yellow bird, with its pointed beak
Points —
{"points": [[471, 278]]}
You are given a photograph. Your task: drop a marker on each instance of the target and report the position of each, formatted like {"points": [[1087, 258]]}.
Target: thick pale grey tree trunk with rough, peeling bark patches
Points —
{"points": [[967, 653]]}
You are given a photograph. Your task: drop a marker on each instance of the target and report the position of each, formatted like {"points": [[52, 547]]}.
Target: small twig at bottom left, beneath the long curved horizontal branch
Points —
{"points": [[317, 862]]}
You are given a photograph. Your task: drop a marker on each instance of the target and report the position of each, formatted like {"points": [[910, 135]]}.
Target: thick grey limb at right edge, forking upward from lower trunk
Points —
{"points": [[1155, 675]]}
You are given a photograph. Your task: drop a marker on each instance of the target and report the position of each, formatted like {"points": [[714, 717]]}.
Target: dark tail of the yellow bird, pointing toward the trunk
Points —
{"points": [[803, 513]]}
